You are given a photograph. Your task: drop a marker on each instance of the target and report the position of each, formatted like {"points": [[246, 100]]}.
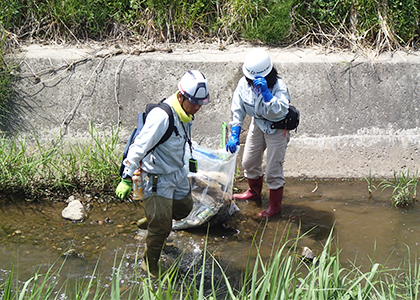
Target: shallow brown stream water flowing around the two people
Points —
{"points": [[34, 235]]}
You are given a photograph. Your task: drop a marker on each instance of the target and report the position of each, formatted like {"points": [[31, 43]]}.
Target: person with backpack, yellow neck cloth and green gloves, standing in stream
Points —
{"points": [[166, 188]]}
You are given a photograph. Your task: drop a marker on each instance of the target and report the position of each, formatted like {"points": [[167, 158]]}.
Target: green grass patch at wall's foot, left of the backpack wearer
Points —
{"points": [[37, 170]]}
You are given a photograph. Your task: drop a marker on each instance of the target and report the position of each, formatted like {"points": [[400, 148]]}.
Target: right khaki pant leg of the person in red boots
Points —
{"points": [[276, 151]]}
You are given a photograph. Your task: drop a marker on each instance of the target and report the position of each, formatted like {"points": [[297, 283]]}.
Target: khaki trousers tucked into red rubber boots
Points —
{"points": [[256, 143]]}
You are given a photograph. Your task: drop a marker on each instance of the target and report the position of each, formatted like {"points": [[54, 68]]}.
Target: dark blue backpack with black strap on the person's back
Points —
{"points": [[141, 118]]}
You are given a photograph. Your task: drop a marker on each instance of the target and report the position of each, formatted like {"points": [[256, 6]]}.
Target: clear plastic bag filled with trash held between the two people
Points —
{"points": [[211, 187]]}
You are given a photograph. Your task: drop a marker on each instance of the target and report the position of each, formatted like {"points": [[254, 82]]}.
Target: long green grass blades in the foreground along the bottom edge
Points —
{"points": [[284, 276]]}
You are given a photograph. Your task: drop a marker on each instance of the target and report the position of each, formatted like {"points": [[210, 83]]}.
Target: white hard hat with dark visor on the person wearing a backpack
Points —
{"points": [[193, 85]]}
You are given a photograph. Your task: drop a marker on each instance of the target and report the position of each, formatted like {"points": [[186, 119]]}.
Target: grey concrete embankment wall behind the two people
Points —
{"points": [[359, 115]]}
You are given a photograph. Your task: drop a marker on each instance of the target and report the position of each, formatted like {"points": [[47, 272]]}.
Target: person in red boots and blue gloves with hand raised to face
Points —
{"points": [[264, 96]]}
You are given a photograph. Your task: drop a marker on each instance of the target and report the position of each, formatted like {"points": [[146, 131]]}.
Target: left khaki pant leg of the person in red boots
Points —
{"points": [[253, 152]]}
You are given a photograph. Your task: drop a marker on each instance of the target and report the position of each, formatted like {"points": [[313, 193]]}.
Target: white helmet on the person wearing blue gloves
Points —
{"points": [[257, 63]]}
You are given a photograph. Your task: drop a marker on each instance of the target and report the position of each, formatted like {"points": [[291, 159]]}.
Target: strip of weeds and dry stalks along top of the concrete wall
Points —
{"points": [[374, 24]]}
